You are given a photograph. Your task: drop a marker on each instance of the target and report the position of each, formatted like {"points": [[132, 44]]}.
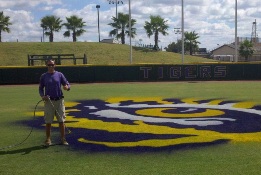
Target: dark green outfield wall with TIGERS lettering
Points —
{"points": [[140, 73]]}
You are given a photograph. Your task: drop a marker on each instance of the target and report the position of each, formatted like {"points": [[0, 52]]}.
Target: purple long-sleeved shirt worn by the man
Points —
{"points": [[50, 84]]}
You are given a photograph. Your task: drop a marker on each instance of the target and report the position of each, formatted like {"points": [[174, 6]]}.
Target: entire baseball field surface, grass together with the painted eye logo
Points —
{"points": [[210, 127]]}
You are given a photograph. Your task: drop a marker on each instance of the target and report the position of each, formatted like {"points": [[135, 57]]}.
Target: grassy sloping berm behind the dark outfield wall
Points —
{"points": [[15, 54]]}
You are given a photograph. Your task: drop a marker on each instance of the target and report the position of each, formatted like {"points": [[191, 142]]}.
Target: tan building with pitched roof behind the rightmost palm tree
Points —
{"points": [[226, 52]]}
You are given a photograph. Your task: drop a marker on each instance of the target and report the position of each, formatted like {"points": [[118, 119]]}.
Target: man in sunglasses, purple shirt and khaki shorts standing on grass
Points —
{"points": [[51, 93]]}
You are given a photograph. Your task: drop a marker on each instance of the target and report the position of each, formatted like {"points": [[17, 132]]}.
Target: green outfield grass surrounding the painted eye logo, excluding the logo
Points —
{"points": [[17, 104]]}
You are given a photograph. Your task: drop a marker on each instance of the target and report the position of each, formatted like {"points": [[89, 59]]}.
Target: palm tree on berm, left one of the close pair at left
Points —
{"points": [[51, 24]]}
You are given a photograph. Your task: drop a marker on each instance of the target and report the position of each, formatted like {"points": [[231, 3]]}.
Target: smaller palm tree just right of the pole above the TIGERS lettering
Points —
{"points": [[191, 41]]}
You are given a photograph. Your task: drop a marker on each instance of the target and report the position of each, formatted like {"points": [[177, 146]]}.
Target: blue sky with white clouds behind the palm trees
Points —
{"points": [[213, 20]]}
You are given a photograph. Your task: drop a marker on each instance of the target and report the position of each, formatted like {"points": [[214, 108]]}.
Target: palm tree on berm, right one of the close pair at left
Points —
{"points": [[74, 24]]}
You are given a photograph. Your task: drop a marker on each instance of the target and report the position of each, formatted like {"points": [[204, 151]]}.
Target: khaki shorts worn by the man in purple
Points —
{"points": [[54, 108]]}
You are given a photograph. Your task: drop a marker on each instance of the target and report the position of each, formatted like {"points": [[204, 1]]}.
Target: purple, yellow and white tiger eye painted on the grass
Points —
{"points": [[156, 123]]}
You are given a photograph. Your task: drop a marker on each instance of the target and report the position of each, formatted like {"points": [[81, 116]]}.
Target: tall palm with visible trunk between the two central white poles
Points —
{"points": [[156, 26]]}
